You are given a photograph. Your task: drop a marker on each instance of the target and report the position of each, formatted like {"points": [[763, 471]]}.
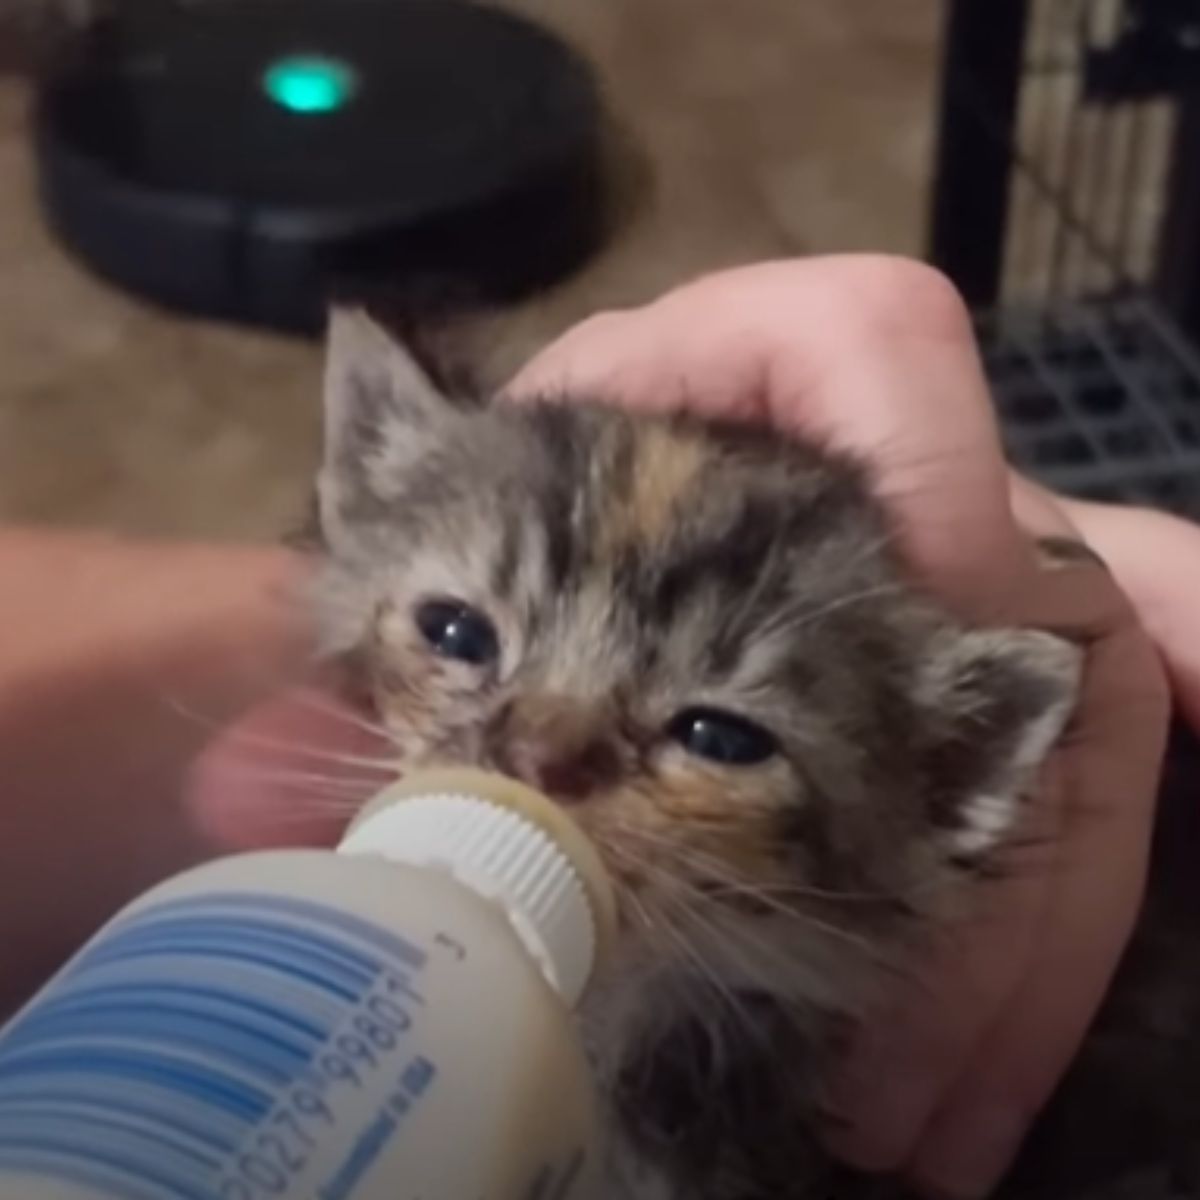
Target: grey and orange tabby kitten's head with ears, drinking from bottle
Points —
{"points": [[699, 638]]}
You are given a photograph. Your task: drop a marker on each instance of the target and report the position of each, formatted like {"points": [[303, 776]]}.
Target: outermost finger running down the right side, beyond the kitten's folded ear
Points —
{"points": [[1107, 784]]}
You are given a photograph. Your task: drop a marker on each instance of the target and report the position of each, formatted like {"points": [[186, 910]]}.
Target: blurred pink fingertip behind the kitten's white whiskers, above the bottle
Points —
{"points": [[292, 772]]}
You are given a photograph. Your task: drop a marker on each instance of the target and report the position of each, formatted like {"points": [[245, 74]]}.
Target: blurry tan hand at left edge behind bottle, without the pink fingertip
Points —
{"points": [[117, 659]]}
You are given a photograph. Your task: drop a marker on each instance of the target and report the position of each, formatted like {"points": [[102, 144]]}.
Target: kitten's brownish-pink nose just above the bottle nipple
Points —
{"points": [[556, 747]]}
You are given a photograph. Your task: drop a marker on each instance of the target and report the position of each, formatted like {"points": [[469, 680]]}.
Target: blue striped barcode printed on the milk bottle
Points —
{"points": [[199, 1051]]}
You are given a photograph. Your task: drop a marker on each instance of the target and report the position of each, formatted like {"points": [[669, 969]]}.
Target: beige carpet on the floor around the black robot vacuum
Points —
{"points": [[764, 128]]}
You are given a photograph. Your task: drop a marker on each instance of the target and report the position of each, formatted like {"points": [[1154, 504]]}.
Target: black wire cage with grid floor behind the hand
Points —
{"points": [[1067, 208]]}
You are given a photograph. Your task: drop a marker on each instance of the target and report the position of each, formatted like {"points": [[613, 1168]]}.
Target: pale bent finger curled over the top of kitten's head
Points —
{"points": [[874, 355]]}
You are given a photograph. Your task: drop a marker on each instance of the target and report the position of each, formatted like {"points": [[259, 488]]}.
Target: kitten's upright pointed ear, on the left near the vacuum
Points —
{"points": [[382, 413]]}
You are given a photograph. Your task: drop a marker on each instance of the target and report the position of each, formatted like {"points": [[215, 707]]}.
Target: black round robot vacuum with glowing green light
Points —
{"points": [[242, 159]]}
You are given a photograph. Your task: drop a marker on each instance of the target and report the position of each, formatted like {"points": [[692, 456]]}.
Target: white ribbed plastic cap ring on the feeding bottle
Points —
{"points": [[501, 855]]}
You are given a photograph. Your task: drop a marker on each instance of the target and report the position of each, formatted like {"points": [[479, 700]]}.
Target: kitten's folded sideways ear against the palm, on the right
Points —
{"points": [[1000, 701]]}
